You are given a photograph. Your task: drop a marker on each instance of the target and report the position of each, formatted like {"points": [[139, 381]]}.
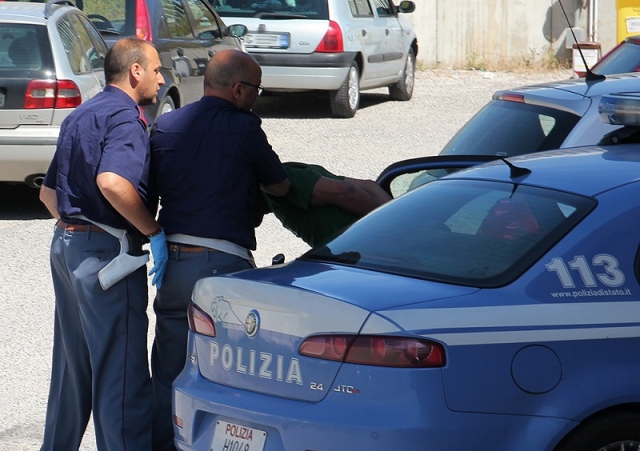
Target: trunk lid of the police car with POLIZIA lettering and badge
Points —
{"points": [[260, 325]]}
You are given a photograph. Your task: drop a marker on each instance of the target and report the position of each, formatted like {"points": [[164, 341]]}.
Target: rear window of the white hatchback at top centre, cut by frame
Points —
{"points": [[274, 9]]}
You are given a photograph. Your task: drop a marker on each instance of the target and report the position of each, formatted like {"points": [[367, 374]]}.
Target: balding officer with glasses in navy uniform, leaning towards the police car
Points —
{"points": [[210, 159]]}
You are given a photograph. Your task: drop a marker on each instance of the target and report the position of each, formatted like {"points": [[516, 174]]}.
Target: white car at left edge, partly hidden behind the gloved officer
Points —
{"points": [[51, 60]]}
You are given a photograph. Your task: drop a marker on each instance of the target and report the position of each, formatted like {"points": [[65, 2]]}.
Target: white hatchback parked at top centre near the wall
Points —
{"points": [[340, 46]]}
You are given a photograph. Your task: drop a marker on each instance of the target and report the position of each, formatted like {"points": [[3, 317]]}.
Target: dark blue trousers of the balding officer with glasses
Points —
{"points": [[170, 345]]}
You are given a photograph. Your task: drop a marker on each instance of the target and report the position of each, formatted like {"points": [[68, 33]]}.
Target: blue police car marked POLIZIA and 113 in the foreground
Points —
{"points": [[496, 308]]}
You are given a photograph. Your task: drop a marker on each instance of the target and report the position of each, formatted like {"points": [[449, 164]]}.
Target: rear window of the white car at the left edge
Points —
{"points": [[23, 47]]}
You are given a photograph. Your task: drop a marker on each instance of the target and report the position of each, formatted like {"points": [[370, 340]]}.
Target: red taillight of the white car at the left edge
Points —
{"points": [[52, 94]]}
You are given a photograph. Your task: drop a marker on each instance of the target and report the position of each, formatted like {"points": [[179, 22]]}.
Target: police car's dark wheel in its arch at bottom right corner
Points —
{"points": [[620, 432]]}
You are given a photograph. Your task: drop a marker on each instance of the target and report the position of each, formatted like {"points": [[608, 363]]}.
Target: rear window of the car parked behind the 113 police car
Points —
{"points": [[507, 128]]}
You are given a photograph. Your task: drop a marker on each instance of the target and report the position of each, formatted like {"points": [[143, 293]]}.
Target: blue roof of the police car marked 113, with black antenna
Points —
{"points": [[582, 170]]}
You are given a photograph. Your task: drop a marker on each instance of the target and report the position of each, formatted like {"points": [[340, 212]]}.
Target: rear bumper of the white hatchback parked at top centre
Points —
{"points": [[302, 72]]}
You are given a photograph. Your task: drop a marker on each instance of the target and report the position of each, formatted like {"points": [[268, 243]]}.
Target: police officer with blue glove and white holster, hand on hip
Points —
{"points": [[97, 185]]}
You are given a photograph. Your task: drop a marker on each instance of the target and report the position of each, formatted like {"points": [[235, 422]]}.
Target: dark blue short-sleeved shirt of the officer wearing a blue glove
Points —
{"points": [[104, 134]]}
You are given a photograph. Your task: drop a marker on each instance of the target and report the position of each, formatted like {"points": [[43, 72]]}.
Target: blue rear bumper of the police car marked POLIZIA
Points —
{"points": [[374, 417]]}
